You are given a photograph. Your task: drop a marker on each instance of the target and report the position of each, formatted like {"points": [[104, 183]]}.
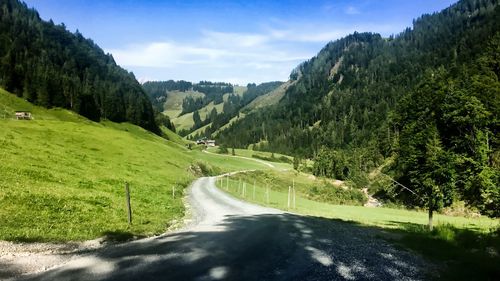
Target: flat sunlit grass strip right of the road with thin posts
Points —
{"points": [[278, 184]]}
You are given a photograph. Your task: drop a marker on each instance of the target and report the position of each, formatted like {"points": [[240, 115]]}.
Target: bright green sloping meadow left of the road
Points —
{"points": [[62, 176]]}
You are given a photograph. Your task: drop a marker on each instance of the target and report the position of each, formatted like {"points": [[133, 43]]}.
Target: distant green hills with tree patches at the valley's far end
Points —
{"points": [[206, 106]]}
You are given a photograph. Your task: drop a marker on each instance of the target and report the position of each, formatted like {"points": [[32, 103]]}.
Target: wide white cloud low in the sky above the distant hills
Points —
{"points": [[229, 56]]}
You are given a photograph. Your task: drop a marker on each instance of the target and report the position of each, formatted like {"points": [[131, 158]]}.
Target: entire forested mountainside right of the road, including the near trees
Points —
{"points": [[351, 107]]}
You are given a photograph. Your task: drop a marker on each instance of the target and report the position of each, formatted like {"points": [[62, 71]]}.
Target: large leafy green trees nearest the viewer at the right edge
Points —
{"points": [[448, 140]]}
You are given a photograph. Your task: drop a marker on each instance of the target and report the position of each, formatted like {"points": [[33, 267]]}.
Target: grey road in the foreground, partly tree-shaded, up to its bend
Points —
{"points": [[234, 240]]}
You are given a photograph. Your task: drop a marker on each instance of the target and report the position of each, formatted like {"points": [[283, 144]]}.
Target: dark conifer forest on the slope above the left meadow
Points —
{"points": [[52, 67]]}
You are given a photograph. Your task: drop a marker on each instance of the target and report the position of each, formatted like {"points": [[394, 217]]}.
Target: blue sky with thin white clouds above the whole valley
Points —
{"points": [[231, 41]]}
